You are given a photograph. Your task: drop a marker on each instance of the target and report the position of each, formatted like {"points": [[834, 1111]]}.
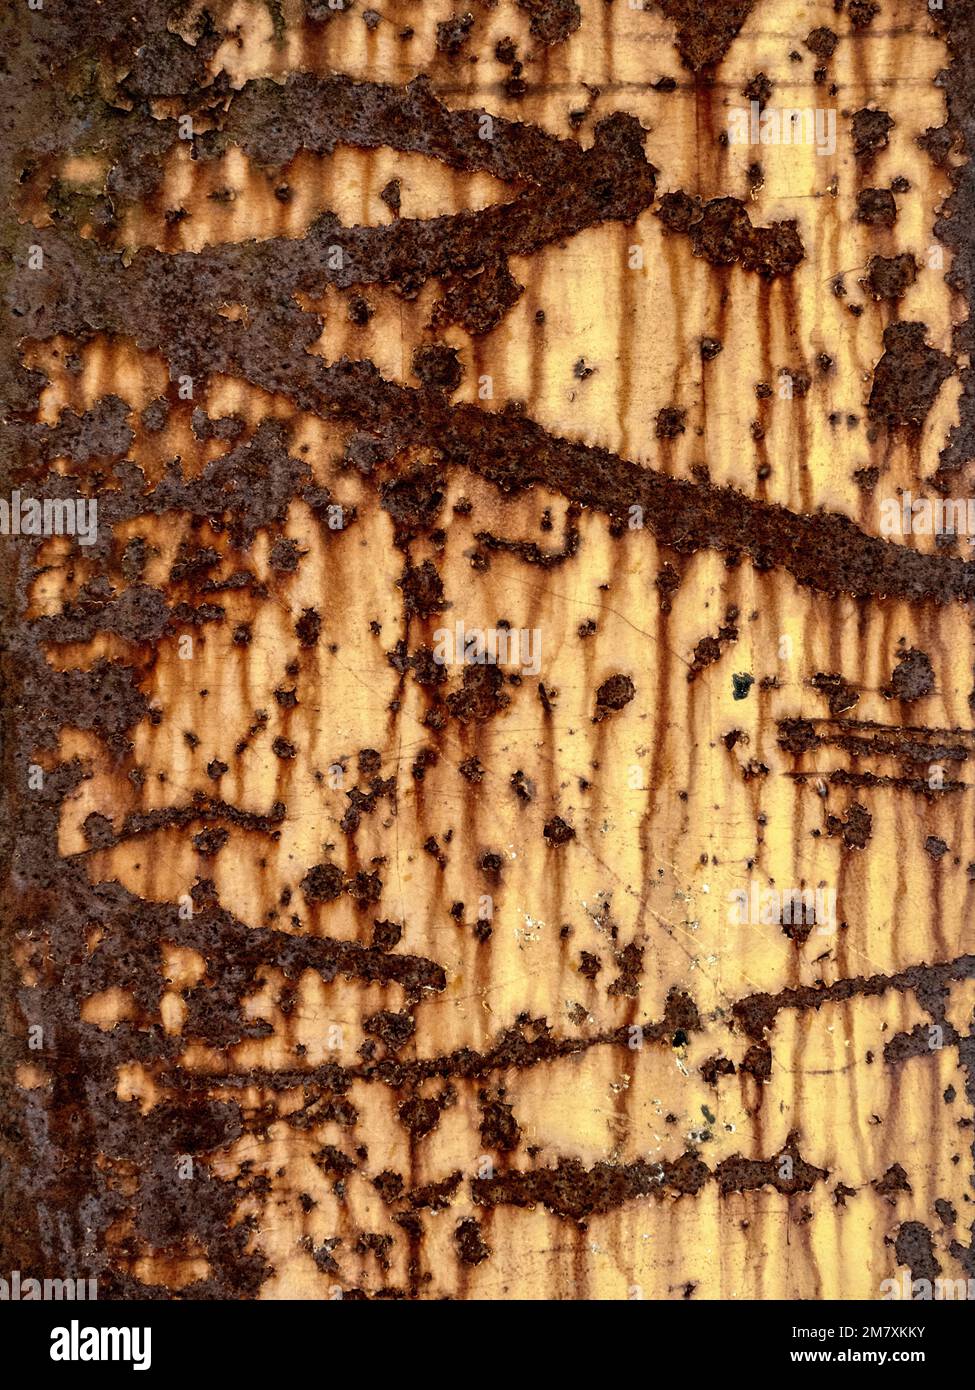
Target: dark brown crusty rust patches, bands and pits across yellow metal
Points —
{"points": [[170, 304]]}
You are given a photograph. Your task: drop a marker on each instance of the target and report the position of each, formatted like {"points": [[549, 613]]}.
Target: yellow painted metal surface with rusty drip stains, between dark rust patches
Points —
{"points": [[674, 812]]}
